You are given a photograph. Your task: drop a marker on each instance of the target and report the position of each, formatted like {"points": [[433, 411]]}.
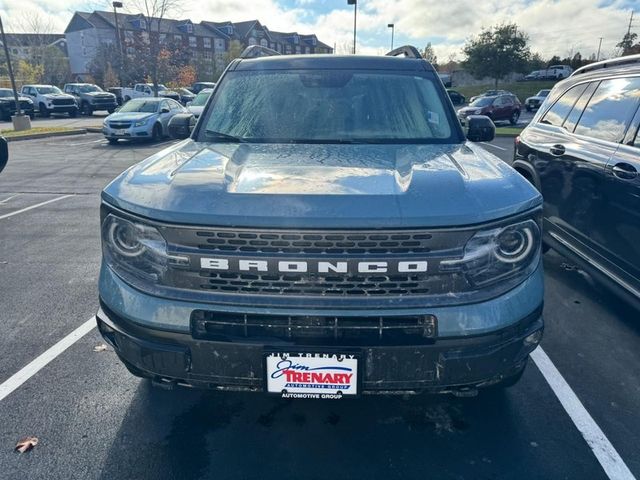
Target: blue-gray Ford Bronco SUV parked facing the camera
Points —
{"points": [[327, 229]]}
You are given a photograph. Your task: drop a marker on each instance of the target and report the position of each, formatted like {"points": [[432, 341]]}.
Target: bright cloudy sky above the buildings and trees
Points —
{"points": [[555, 27]]}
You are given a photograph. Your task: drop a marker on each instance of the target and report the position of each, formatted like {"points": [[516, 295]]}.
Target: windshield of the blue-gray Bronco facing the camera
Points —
{"points": [[332, 106]]}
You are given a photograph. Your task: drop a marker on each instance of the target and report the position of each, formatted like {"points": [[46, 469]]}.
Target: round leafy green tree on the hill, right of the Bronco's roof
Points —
{"points": [[496, 52]]}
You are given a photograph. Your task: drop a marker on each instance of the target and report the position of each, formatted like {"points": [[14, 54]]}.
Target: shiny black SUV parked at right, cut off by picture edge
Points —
{"points": [[582, 151]]}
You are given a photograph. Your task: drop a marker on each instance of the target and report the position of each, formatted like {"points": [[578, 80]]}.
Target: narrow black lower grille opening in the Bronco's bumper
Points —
{"points": [[207, 325]]}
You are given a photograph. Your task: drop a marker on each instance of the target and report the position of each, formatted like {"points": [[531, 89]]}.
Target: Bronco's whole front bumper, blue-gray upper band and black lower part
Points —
{"points": [[477, 344]]}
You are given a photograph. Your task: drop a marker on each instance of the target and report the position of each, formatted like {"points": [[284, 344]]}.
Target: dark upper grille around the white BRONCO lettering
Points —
{"points": [[314, 246]]}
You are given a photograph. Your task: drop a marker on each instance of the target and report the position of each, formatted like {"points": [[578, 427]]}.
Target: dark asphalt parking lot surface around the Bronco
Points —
{"points": [[94, 420]]}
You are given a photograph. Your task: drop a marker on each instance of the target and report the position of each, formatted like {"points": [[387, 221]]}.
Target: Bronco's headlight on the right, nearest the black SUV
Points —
{"points": [[509, 252]]}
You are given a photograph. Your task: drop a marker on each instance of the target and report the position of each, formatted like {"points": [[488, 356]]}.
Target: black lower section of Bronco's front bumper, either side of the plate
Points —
{"points": [[446, 365]]}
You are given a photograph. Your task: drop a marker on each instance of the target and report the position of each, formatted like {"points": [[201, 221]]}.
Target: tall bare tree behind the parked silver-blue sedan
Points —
{"points": [[154, 13]]}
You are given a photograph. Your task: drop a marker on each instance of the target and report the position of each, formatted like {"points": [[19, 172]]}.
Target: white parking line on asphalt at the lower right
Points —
{"points": [[611, 462]]}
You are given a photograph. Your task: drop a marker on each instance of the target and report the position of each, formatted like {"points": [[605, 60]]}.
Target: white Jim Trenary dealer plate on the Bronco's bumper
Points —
{"points": [[312, 375]]}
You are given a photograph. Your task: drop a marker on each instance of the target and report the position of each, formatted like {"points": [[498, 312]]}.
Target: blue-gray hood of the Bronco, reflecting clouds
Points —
{"points": [[322, 186]]}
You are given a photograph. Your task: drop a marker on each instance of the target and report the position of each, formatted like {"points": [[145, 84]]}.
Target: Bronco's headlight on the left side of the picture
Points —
{"points": [[132, 248]]}
